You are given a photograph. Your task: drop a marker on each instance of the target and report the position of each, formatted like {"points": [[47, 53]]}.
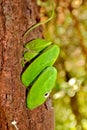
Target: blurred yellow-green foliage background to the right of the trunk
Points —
{"points": [[68, 30]]}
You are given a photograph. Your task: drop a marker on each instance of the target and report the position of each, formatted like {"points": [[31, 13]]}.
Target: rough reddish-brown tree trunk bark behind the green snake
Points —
{"points": [[15, 17]]}
